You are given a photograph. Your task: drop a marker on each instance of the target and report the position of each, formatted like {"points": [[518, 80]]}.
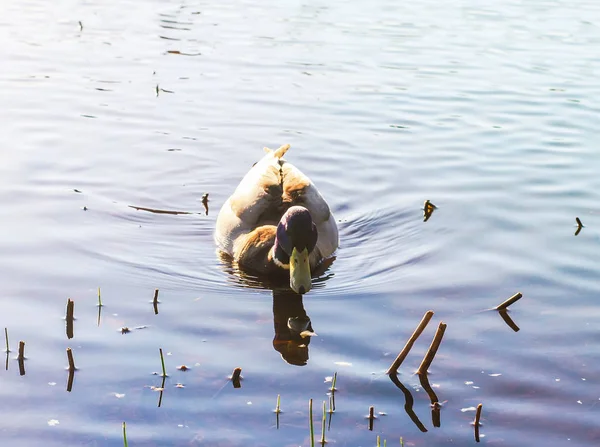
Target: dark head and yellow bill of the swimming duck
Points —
{"points": [[295, 240]]}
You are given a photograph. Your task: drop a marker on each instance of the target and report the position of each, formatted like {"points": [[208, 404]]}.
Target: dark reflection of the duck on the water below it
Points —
{"points": [[292, 326]]}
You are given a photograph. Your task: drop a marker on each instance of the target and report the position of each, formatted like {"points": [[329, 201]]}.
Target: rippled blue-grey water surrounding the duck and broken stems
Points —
{"points": [[489, 112]]}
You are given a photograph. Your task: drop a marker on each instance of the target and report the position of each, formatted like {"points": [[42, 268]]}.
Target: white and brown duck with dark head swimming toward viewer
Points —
{"points": [[277, 223]]}
